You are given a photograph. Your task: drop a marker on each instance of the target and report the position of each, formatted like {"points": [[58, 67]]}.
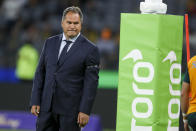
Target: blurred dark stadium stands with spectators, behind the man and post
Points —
{"points": [[32, 21]]}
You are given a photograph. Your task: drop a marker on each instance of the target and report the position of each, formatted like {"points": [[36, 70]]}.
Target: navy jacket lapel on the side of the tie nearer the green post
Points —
{"points": [[72, 50]]}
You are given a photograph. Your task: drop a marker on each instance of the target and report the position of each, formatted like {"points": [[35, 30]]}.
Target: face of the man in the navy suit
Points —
{"points": [[71, 25]]}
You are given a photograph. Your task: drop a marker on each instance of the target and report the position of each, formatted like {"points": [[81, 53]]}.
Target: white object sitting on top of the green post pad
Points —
{"points": [[153, 7]]}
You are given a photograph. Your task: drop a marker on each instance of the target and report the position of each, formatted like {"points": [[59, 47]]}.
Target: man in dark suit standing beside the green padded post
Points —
{"points": [[66, 78]]}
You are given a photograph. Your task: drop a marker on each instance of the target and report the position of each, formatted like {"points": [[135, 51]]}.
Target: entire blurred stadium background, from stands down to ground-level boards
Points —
{"points": [[30, 22]]}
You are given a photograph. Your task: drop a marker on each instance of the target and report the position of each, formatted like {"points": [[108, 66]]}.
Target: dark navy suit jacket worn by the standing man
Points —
{"points": [[68, 87]]}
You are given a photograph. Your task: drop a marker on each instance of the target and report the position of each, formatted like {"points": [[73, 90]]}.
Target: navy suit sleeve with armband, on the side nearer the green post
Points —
{"points": [[90, 81]]}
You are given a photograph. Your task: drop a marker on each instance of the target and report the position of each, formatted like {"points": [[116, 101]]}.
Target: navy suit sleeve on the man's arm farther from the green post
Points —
{"points": [[38, 81]]}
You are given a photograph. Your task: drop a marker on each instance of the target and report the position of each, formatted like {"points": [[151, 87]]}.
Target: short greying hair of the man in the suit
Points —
{"points": [[74, 10]]}
